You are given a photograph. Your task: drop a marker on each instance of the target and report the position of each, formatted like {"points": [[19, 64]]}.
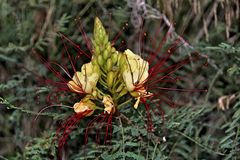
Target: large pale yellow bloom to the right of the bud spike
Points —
{"points": [[136, 71]]}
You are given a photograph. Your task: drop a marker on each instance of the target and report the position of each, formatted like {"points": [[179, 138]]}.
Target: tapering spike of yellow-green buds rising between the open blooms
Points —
{"points": [[109, 61]]}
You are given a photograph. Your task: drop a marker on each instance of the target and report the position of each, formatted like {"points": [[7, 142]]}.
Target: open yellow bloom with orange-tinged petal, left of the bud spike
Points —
{"points": [[86, 80]]}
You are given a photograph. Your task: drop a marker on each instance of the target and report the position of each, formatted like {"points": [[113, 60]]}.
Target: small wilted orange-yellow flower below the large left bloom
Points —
{"points": [[83, 106]]}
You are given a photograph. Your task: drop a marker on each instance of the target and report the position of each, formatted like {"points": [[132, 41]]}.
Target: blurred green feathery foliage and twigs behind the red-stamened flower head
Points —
{"points": [[206, 127]]}
